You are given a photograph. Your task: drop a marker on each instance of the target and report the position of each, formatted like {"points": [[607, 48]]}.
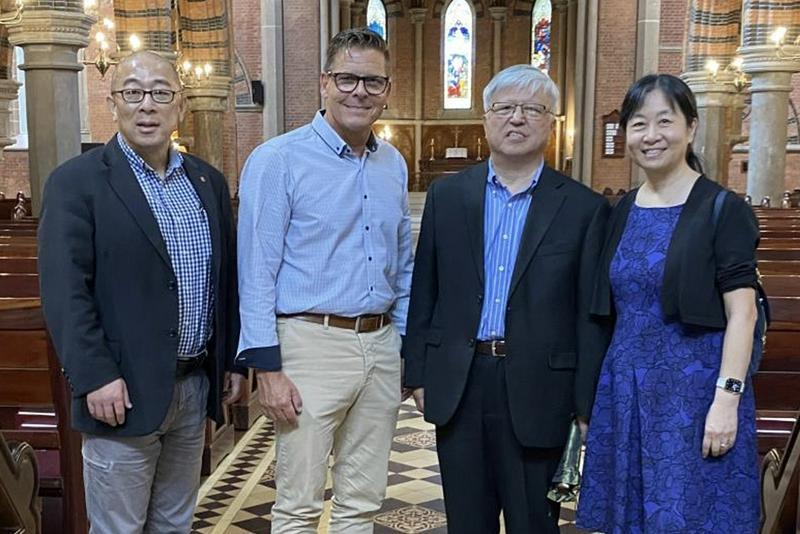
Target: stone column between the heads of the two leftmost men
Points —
{"points": [[208, 101]]}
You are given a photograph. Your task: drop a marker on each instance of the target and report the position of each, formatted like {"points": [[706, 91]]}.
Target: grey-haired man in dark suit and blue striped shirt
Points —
{"points": [[500, 352]]}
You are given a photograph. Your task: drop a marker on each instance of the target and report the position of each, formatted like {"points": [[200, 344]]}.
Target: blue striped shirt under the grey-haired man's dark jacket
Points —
{"points": [[504, 217]]}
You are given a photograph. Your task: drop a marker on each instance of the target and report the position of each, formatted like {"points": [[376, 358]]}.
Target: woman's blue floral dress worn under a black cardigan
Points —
{"points": [[644, 472]]}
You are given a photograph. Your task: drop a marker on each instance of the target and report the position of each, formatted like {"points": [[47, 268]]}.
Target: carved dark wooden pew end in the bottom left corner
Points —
{"points": [[20, 506]]}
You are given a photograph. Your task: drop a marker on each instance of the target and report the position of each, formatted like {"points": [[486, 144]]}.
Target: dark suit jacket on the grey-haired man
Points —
{"points": [[554, 348]]}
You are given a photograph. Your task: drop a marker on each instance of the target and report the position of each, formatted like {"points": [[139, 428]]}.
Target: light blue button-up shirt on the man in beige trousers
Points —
{"points": [[321, 230]]}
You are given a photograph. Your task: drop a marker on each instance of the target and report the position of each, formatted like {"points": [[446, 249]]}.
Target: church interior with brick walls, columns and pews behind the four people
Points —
{"points": [[250, 71]]}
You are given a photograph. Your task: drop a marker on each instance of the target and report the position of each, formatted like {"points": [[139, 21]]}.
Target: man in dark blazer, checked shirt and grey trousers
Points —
{"points": [[138, 283]]}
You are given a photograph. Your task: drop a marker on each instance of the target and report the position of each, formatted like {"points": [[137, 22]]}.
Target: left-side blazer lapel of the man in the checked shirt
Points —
{"points": [[126, 186]]}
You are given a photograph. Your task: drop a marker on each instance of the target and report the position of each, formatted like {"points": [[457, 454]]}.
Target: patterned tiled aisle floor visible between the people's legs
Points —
{"points": [[238, 496]]}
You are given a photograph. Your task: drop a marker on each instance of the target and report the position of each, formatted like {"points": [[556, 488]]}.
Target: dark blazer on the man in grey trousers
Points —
{"points": [[109, 293]]}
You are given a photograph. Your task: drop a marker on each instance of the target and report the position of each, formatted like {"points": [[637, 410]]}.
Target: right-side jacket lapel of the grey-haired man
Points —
{"points": [[547, 200]]}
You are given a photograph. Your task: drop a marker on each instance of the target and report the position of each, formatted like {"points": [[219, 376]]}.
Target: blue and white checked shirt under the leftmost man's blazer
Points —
{"points": [[183, 222]]}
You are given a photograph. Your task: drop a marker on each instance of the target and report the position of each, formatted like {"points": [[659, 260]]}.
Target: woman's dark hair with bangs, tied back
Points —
{"points": [[678, 94]]}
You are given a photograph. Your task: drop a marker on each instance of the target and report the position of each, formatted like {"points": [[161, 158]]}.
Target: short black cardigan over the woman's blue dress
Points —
{"points": [[701, 263]]}
